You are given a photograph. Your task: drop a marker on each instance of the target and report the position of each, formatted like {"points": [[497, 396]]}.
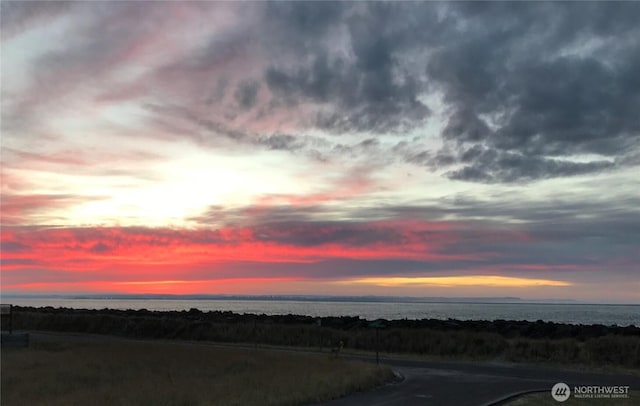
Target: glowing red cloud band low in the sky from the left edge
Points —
{"points": [[146, 254]]}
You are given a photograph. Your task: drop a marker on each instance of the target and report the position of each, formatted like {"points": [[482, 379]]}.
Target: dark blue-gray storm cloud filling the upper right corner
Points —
{"points": [[554, 80]]}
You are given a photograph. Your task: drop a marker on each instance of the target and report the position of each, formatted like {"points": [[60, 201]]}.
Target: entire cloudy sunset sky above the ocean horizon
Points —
{"points": [[358, 148]]}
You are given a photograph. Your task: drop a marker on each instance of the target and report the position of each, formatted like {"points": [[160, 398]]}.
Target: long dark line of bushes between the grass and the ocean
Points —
{"points": [[511, 340]]}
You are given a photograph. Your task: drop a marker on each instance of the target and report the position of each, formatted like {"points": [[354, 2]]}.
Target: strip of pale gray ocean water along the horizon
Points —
{"points": [[606, 314]]}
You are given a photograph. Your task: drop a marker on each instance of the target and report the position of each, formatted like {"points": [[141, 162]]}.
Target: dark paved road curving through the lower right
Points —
{"points": [[473, 384]]}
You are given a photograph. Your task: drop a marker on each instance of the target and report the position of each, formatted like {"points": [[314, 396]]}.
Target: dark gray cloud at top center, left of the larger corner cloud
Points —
{"points": [[367, 88]]}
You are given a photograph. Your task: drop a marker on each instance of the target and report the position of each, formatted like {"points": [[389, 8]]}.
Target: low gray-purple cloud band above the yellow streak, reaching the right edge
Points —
{"points": [[596, 235]]}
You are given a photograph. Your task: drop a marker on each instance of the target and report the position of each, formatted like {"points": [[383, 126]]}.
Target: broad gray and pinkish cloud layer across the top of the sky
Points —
{"points": [[528, 88]]}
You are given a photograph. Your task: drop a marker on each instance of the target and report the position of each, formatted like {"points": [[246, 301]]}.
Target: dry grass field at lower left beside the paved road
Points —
{"points": [[158, 373]]}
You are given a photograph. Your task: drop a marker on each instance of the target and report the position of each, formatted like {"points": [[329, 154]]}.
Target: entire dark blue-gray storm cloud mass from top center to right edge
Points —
{"points": [[529, 84]]}
